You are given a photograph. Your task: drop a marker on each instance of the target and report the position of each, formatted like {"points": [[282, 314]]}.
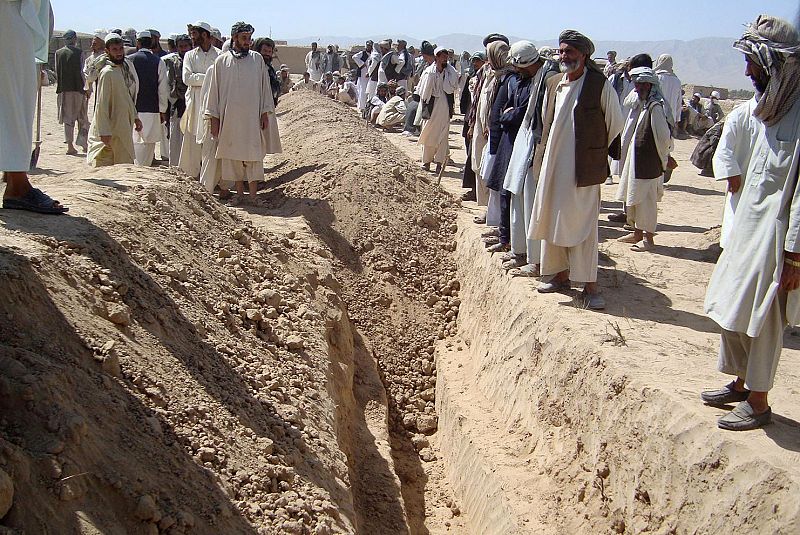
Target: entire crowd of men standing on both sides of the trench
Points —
{"points": [[543, 129]]}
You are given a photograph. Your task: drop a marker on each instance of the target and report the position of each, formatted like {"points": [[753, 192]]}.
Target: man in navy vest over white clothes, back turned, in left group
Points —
{"points": [[151, 101]]}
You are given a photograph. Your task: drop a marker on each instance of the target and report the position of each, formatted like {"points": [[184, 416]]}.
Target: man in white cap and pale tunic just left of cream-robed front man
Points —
{"points": [[195, 64]]}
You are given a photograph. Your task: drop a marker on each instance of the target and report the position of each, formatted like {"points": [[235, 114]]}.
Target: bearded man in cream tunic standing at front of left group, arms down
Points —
{"points": [[242, 112]]}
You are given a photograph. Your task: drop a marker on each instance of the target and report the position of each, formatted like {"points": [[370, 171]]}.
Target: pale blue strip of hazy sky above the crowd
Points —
{"points": [[629, 20]]}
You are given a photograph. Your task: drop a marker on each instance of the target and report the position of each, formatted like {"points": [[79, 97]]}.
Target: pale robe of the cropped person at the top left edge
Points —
{"points": [[24, 34]]}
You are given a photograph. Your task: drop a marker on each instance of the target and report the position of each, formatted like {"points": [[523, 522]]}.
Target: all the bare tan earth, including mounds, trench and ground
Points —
{"points": [[343, 357]]}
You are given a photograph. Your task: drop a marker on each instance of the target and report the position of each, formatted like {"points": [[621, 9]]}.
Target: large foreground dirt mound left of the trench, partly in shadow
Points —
{"points": [[164, 369]]}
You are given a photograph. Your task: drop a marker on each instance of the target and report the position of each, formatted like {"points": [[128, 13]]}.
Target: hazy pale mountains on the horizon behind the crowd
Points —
{"points": [[705, 61]]}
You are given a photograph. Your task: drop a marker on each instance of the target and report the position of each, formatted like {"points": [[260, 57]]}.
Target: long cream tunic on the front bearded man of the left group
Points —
{"points": [[239, 93]]}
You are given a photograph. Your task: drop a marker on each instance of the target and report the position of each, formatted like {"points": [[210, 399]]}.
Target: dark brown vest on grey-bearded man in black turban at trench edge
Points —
{"points": [[591, 137]]}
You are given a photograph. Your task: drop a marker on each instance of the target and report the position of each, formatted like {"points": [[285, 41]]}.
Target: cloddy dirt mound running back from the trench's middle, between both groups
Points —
{"points": [[390, 233]]}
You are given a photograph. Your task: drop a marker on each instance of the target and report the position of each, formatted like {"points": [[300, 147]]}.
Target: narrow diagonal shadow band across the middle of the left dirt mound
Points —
{"points": [[163, 320]]}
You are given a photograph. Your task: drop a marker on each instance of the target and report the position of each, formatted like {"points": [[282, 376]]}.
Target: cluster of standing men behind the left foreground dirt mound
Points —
{"points": [[208, 110]]}
